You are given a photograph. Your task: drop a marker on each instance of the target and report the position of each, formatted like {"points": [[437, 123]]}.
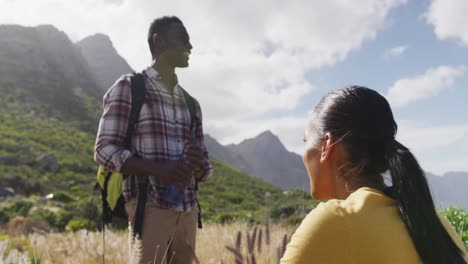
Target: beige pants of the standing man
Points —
{"points": [[168, 236]]}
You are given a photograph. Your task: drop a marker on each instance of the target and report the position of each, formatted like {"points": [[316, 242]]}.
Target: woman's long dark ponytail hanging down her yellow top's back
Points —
{"points": [[411, 191]]}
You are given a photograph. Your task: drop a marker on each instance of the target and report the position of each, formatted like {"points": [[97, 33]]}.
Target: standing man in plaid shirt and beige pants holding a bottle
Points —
{"points": [[160, 139]]}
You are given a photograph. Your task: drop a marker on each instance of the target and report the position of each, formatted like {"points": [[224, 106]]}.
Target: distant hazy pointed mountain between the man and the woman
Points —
{"points": [[266, 158]]}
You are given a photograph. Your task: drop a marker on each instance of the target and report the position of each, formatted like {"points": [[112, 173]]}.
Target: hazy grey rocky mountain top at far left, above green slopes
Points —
{"points": [[40, 57]]}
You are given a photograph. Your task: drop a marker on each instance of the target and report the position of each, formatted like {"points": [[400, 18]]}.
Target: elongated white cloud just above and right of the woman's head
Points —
{"points": [[429, 84]]}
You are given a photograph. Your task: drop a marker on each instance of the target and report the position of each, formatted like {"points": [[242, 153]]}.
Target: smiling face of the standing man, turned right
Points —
{"points": [[178, 46]]}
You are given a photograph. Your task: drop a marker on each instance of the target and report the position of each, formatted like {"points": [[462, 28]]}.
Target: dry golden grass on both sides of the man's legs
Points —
{"points": [[86, 247]]}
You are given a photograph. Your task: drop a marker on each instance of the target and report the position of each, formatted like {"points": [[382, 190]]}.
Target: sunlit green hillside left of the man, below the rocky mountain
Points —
{"points": [[26, 134]]}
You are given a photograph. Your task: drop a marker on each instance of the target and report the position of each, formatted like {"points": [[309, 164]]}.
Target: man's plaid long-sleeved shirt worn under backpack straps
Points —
{"points": [[158, 135]]}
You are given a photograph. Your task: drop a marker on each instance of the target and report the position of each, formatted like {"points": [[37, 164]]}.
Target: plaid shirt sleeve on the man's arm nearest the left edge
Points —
{"points": [[109, 148]]}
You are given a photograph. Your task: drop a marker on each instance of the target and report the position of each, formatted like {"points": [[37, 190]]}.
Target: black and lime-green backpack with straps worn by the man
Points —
{"points": [[110, 184]]}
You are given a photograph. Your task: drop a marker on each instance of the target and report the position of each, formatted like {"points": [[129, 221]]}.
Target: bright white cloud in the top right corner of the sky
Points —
{"points": [[449, 18]]}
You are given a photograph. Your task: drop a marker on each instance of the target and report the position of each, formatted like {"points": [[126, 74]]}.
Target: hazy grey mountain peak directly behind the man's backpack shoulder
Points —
{"points": [[103, 60]]}
